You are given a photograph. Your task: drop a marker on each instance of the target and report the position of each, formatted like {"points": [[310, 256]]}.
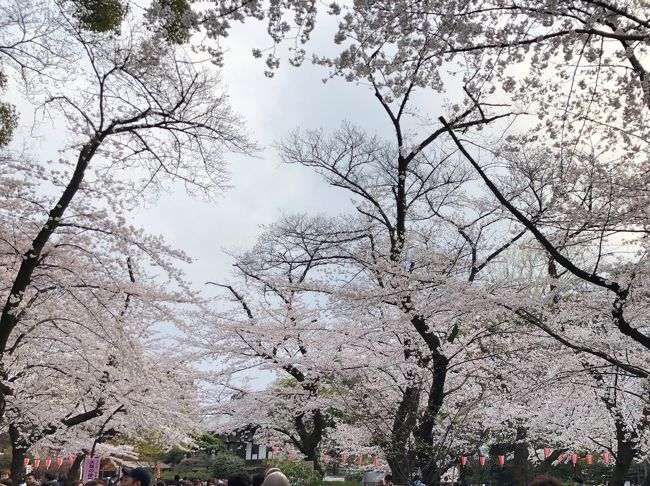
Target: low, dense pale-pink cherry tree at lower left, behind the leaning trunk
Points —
{"points": [[81, 364]]}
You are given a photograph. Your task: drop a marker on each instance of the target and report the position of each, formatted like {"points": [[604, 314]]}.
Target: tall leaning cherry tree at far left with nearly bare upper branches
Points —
{"points": [[135, 107]]}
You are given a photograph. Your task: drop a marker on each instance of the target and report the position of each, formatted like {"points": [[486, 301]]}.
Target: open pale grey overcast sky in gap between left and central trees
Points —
{"points": [[262, 187]]}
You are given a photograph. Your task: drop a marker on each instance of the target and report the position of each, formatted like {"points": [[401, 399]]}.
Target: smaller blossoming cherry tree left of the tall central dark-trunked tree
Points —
{"points": [[276, 326]]}
